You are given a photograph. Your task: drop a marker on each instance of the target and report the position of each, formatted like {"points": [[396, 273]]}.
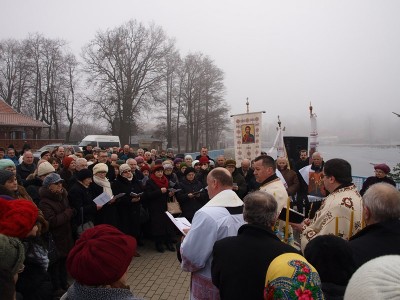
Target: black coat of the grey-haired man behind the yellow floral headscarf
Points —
{"points": [[240, 263]]}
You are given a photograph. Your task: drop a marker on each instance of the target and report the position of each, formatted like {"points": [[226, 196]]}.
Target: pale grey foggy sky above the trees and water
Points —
{"points": [[343, 56]]}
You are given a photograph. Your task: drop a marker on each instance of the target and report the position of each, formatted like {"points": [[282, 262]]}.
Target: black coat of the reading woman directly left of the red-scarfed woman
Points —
{"points": [[128, 211]]}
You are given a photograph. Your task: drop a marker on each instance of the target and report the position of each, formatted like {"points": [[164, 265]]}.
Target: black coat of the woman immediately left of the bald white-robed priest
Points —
{"points": [[189, 206]]}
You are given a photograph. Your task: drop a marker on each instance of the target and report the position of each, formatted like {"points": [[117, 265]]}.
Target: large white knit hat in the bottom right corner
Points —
{"points": [[378, 278]]}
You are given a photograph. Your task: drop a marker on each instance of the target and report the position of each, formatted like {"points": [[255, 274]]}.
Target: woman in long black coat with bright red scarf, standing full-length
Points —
{"points": [[156, 197]]}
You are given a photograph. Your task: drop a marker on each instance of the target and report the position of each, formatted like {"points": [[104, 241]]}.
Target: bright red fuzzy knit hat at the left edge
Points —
{"points": [[17, 217]]}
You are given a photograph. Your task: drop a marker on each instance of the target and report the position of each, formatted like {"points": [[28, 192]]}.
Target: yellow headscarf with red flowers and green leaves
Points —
{"points": [[291, 276]]}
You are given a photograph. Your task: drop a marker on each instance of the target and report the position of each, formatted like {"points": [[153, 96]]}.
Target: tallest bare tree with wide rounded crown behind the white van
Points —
{"points": [[123, 65]]}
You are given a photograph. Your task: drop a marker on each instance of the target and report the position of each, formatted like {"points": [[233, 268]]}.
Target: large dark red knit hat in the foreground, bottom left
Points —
{"points": [[101, 256]]}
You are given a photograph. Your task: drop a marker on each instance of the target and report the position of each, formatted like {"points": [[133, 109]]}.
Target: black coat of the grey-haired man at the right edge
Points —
{"points": [[376, 240]]}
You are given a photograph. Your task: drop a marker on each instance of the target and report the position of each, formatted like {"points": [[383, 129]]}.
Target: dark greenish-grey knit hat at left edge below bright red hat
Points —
{"points": [[12, 253]]}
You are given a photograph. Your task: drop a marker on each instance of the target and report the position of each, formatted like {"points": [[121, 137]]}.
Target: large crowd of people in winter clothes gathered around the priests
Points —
{"points": [[52, 220]]}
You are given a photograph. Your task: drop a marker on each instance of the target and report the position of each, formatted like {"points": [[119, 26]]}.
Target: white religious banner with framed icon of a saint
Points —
{"points": [[247, 136]]}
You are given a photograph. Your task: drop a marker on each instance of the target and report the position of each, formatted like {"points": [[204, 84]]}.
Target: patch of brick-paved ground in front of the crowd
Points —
{"points": [[157, 275]]}
